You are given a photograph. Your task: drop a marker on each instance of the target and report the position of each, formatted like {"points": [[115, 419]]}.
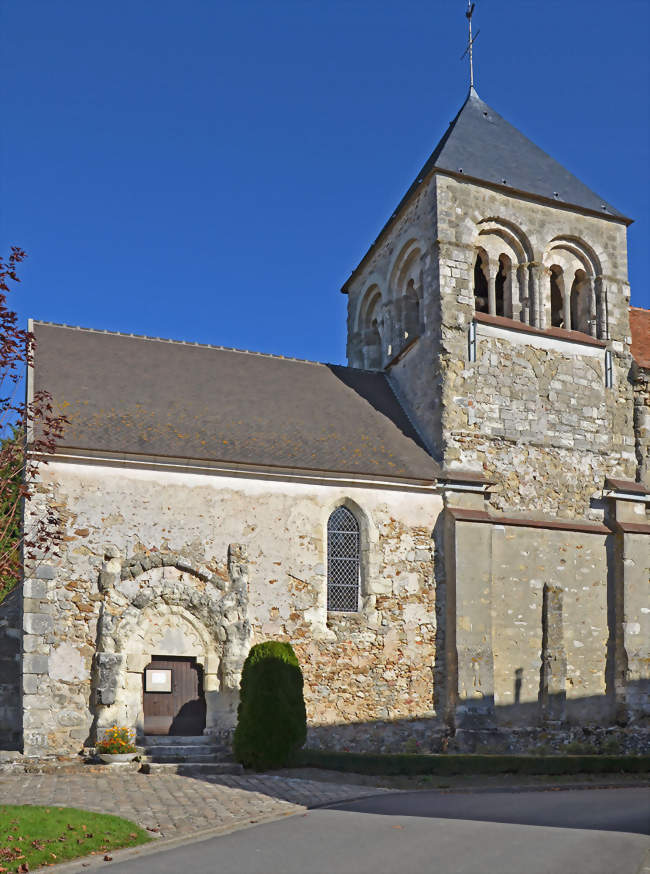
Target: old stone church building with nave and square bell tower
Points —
{"points": [[452, 531]]}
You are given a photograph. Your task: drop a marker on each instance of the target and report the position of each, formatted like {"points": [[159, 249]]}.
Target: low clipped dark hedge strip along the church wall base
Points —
{"points": [[444, 765]]}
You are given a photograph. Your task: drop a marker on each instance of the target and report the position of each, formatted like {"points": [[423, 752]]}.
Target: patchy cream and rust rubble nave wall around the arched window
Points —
{"points": [[376, 665]]}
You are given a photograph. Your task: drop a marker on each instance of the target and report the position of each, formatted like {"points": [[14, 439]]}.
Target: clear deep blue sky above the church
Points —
{"points": [[213, 171]]}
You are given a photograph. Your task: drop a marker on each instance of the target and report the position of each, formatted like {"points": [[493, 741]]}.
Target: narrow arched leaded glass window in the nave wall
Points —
{"points": [[343, 561]]}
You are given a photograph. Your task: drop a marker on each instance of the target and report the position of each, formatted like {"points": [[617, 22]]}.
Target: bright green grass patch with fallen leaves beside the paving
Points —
{"points": [[31, 836]]}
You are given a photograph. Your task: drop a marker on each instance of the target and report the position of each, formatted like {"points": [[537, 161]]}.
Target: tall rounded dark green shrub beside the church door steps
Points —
{"points": [[271, 718]]}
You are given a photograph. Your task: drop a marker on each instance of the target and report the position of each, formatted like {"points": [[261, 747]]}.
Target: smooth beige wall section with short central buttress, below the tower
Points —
{"points": [[531, 633]]}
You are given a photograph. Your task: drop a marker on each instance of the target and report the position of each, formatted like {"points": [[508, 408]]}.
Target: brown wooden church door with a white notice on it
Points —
{"points": [[181, 711]]}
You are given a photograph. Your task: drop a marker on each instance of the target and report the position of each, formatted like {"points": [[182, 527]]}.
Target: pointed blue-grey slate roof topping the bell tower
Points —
{"points": [[480, 144]]}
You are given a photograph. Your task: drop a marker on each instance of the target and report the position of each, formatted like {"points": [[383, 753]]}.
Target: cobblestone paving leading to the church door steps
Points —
{"points": [[177, 805]]}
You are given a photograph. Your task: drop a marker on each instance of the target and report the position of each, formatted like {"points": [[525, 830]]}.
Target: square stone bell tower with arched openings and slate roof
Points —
{"points": [[496, 299]]}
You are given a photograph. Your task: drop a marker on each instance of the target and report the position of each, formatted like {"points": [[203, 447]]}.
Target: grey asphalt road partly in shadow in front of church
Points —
{"points": [[558, 832]]}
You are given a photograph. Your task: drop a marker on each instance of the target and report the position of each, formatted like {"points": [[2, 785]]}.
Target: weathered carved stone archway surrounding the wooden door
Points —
{"points": [[162, 604]]}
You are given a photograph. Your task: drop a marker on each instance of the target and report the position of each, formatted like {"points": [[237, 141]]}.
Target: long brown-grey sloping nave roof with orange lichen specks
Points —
{"points": [[142, 396]]}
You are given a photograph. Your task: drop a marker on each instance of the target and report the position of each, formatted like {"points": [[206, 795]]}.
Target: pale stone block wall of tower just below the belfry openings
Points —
{"points": [[535, 416]]}
